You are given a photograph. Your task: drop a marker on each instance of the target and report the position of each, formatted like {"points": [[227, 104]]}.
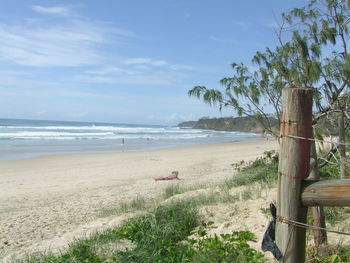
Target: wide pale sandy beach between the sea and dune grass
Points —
{"points": [[49, 201]]}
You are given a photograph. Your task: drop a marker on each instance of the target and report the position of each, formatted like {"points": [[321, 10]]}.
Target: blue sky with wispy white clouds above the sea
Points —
{"points": [[130, 61]]}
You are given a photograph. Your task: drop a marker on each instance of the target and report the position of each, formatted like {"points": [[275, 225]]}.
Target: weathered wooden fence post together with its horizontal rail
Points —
{"points": [[295, 194]]}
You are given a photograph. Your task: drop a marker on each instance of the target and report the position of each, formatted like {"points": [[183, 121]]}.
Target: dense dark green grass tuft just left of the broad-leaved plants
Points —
{"points": [[157, 235]]}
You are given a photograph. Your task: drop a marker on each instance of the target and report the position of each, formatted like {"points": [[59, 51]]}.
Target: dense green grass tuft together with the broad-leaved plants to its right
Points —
{"points": [[163, 236]]}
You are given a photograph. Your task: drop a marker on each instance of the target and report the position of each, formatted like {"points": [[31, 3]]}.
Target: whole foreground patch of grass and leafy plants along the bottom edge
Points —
{"points": [[164, 235]]}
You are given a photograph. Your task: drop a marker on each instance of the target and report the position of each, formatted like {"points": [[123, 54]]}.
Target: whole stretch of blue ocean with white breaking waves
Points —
{"points": [[21, 139]]}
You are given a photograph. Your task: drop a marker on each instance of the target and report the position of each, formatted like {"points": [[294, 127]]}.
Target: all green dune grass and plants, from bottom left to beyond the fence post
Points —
{"points": [[174, 232]]}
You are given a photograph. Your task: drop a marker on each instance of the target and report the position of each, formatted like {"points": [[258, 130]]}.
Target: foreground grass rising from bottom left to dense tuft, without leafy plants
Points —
{"points": [[147, 238]]}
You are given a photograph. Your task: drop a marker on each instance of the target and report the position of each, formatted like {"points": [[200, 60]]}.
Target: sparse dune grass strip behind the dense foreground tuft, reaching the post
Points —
{"points": [[254, 175]]}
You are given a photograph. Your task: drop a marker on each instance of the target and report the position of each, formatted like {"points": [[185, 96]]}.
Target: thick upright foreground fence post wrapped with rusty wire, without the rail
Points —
{"points": [[294, 166]]}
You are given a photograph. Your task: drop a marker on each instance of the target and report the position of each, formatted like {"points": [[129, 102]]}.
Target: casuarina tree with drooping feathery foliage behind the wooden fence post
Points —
{"points": [[312, 52]]}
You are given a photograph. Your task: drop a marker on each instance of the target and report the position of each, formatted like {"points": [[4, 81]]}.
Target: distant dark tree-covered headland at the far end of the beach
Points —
{"points": [[244, 124]]}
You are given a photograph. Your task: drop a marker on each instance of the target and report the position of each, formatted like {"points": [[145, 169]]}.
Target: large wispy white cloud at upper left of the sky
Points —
{"points": [[67, 43]]}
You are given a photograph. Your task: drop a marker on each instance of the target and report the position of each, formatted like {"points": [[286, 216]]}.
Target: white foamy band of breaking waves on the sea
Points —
{"points": [[110, 132]]}
